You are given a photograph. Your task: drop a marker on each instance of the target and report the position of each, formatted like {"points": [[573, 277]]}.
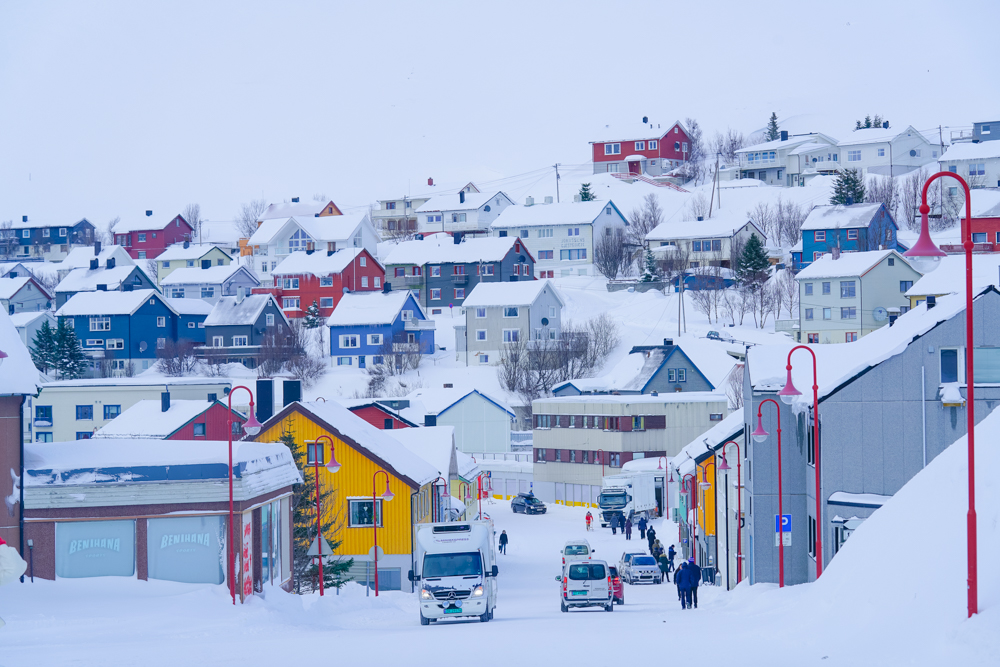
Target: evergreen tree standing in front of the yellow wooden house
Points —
{"points": [[305, 569]]}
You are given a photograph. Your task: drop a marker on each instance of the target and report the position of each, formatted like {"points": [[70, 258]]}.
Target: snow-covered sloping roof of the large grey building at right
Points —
{"points": [[836, 364]]}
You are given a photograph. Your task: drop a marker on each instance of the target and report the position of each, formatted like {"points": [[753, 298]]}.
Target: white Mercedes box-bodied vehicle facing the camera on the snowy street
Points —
{"points": [[455, 570]]}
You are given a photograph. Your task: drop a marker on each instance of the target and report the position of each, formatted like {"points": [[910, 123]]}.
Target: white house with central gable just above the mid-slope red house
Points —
{"points": [[276, 238]]}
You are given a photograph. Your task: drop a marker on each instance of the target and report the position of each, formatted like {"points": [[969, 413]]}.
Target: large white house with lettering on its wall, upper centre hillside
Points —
{"points": [[560, 236]]}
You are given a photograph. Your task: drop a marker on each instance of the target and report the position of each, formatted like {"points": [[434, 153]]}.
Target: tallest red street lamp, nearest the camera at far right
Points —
{"points": [[926, 257]]}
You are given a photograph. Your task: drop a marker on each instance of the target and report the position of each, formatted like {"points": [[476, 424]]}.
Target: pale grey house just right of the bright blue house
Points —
{"points": [[498, 314]]}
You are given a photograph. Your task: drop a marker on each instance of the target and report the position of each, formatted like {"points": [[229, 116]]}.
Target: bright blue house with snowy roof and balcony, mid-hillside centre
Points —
{"points": [[365, 327]]}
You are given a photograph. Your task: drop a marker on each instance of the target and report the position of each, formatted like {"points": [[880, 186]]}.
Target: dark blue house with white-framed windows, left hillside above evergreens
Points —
{"points": [[123, 330]]}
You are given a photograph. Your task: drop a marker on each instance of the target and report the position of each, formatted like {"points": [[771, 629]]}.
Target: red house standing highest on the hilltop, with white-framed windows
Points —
{"points": [[649, 148]]}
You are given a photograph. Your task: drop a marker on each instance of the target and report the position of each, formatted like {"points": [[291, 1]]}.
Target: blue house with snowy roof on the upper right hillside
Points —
{"points": [[851, 228]]}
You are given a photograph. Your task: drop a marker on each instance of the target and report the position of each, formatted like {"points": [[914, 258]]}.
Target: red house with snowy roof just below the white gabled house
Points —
{"points": [[307, 276]]}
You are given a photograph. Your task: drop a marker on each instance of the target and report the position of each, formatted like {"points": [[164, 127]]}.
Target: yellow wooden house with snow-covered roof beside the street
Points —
{"points": [[362, 450]]}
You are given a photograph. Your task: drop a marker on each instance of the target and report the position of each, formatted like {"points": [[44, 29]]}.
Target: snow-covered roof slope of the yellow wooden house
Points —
{"points": [[378, 444]]}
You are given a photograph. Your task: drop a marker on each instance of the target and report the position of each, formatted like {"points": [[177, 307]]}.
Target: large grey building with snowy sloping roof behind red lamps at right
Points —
{"points": [[889, 403]]}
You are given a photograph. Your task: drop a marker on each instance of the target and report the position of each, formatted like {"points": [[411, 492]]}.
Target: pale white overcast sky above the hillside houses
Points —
{"points": [[115, 108]]}
